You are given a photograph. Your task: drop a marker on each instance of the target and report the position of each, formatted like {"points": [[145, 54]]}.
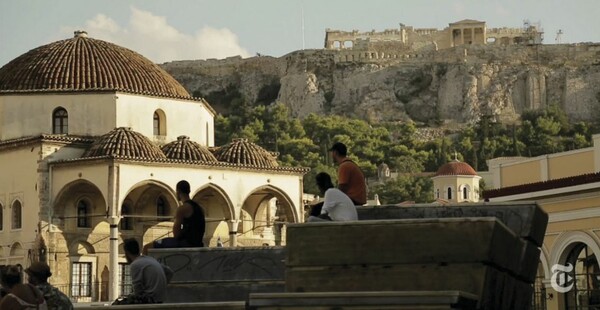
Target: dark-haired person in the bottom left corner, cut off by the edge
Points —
{"points": [[19, 295]]}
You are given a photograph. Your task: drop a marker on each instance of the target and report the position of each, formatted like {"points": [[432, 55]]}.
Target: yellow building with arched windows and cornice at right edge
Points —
{"points": [[567, 186]]}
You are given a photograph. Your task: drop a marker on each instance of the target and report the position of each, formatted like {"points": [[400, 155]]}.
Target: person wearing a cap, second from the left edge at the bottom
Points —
{"points": [[38, 274]]}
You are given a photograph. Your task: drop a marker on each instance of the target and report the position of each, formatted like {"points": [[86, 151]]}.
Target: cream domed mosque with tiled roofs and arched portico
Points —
{"points": [[94, 137]]}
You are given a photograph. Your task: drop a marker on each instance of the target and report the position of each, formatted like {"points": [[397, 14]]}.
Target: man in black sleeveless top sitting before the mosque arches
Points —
{"points": [[189, 226]]}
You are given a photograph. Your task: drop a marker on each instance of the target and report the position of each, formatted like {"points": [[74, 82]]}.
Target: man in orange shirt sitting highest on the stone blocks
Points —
{"points": [[351, 180]]}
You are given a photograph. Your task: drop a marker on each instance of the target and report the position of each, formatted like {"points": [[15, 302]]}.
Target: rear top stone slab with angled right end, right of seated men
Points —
{"points": [[525, 219]]}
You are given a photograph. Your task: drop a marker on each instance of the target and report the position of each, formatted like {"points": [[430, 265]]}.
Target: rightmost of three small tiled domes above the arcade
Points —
{"points": [[241, 151]]}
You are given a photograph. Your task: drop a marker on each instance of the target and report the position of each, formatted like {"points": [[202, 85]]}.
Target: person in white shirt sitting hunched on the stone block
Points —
{"points": [[337, 206]]}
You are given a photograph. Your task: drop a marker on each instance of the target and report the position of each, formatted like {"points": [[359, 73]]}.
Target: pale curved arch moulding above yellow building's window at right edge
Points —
{"points": [[567, 241]]}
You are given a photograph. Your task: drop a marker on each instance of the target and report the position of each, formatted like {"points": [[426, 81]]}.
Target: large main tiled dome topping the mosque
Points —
{"points": [[85, 64]]}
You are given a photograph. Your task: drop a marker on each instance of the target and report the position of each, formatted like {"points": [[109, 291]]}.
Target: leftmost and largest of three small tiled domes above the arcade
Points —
{"points": [[124, 142]]}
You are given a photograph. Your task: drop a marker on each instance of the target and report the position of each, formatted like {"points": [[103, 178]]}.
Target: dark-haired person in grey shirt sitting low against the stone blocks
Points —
{"points": [[149, 278]]}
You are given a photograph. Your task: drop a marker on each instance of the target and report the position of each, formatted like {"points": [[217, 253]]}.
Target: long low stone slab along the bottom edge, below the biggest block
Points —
{"points": [[364, 300]]}
